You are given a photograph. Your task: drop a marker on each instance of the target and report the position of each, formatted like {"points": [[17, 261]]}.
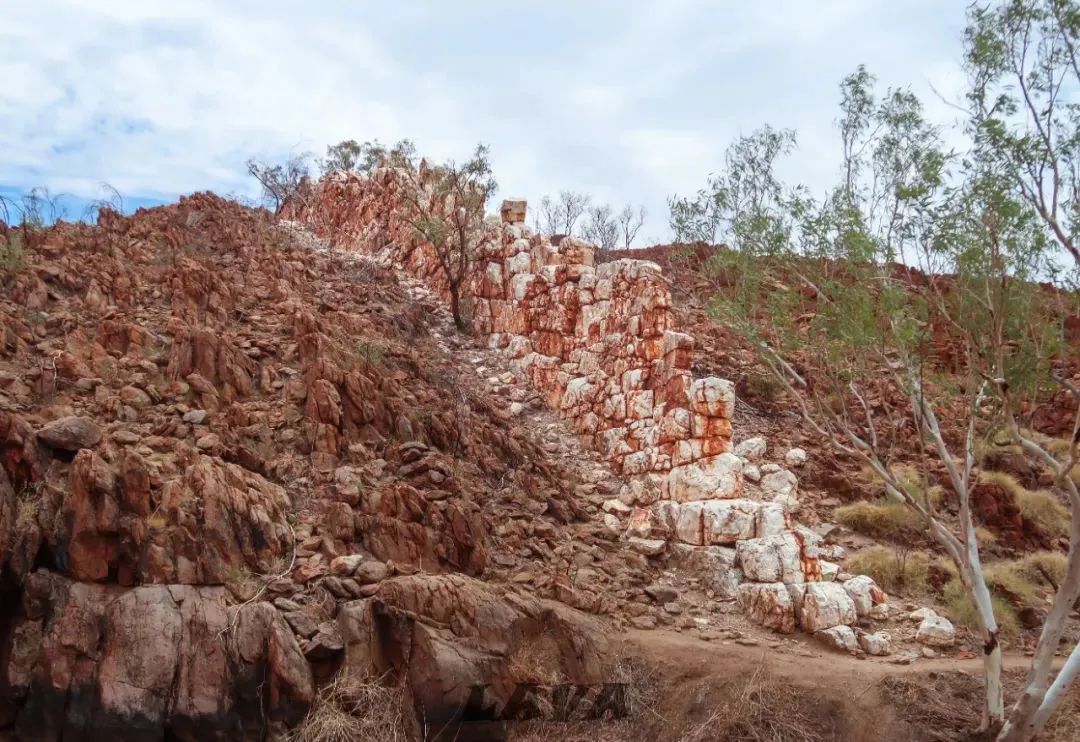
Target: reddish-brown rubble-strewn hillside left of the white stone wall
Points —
{"points": [[215, 434]]}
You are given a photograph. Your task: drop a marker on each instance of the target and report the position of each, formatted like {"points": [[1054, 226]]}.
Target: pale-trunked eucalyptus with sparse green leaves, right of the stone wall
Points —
{"points": [[830, 277]]}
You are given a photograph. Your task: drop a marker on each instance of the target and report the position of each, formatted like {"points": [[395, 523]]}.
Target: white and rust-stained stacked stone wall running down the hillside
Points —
{"points": [[599, 343]]}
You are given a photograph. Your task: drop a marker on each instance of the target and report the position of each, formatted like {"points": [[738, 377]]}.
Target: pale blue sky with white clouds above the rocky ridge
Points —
{"points": [[630, 102]]}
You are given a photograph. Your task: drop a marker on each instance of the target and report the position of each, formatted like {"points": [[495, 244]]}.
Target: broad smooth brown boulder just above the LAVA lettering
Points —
{"points": [[447, 635]]}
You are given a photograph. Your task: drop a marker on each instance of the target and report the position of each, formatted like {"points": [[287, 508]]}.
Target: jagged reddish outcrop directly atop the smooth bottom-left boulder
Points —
{"points": [[213, 518]]}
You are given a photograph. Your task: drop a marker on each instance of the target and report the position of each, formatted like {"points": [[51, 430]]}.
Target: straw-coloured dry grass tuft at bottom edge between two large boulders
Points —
{"points": [[350, 711]]}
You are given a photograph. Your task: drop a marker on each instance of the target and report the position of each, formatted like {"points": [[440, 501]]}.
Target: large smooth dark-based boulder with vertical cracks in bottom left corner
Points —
{"points": [[152, 663]]}
